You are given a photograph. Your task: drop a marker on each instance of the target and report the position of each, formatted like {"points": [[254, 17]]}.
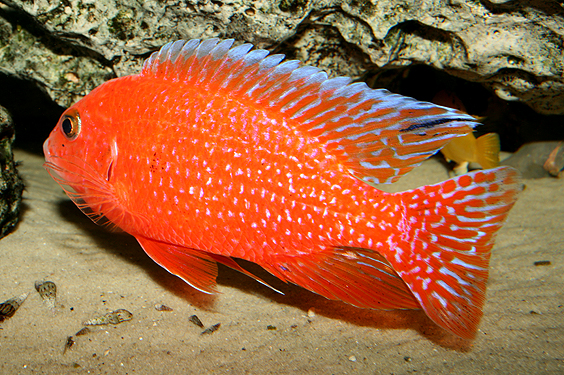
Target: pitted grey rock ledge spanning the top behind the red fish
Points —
{"points": [[512, 47]]}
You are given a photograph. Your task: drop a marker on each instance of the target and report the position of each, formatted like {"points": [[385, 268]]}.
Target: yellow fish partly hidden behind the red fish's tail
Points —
{"points": [[467, 149]]}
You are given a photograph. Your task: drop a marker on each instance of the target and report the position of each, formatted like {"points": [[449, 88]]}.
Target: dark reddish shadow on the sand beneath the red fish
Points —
{"points": [[125, 246]]}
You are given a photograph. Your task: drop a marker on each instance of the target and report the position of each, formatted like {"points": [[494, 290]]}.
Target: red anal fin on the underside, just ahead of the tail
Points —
{"points": [[361, 277]]}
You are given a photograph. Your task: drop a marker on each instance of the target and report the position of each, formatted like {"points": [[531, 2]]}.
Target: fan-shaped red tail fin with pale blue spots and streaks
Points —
{"points": [[448, 231]]}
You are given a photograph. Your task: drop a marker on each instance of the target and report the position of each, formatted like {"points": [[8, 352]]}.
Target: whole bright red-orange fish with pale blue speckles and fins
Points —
{"points": [[215, 152]]}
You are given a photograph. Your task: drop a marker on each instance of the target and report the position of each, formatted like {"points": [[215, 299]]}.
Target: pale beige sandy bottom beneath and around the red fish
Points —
{"points": [[522, 331]]}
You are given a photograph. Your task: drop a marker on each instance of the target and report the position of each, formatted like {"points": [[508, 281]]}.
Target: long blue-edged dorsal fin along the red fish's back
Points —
{"points": [[377, 135]]}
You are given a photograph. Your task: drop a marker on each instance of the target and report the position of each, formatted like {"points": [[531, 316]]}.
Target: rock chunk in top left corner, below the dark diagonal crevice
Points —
{"points": [[29, 51]]}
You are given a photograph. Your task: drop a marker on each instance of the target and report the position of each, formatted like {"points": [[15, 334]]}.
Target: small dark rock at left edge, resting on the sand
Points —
{"points": [[11, 185]]}
